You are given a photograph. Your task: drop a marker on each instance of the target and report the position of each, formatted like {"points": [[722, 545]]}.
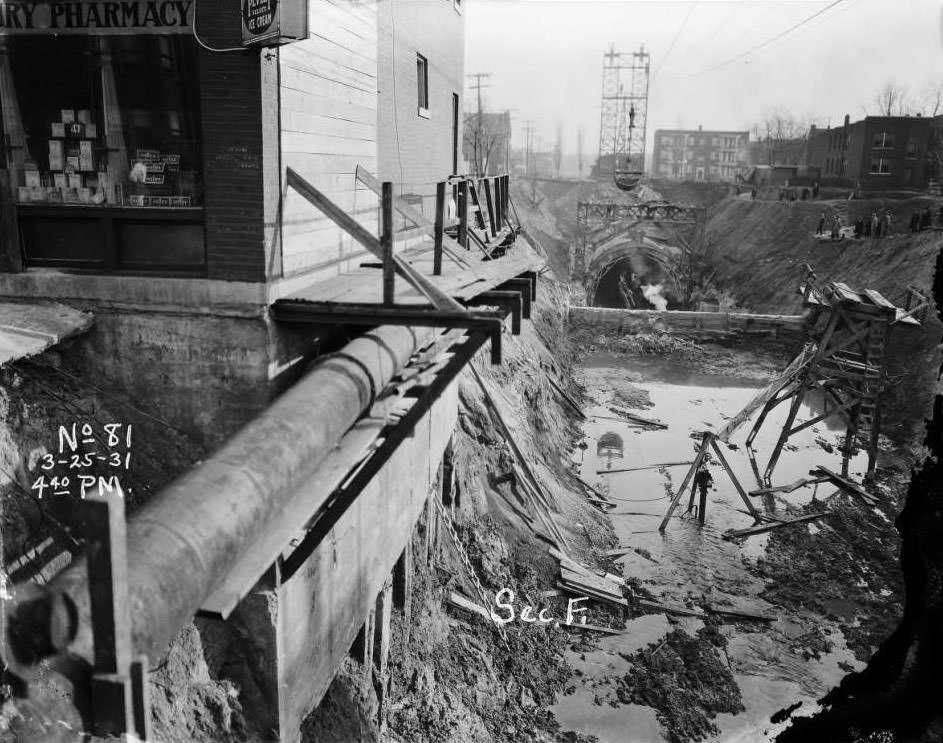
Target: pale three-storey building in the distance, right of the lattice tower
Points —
{"points": [[700, 155]]}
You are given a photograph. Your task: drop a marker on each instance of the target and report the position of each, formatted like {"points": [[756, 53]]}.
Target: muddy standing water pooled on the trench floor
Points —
{"points": [[691, 562]]}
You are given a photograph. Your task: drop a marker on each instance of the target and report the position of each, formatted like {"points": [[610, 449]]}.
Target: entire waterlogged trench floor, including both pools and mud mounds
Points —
{"points": [[734, 674]]}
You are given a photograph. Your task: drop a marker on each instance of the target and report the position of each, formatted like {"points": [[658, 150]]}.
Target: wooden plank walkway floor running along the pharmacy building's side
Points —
{"points": [[364, 285]]}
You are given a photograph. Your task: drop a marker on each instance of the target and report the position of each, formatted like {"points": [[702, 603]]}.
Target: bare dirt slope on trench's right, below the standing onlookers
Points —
{"points": [[760, 250]]}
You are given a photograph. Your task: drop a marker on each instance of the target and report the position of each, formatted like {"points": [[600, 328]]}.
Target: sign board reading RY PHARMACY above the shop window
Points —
{"points": [[96, 17]]}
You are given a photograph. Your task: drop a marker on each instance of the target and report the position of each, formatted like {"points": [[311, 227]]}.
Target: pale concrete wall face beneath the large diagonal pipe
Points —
{"points": [[322, 607]]}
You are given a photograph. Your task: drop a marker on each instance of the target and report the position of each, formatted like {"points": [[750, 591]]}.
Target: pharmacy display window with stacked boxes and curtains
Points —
{"points": [[110, 121]]}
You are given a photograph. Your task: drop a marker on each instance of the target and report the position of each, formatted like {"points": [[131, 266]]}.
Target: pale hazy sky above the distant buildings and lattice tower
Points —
{"points": [[715, 63]]}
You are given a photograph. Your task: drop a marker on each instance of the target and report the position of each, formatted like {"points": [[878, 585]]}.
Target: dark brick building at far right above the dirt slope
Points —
{"points": [[878, 152]]}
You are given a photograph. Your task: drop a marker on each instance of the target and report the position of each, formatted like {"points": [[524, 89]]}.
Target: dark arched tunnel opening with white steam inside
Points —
{"points": [[634, 282]]}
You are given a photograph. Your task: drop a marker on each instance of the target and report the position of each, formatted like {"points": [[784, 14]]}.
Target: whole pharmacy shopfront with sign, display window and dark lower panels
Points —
{"points": [[101, 135]]}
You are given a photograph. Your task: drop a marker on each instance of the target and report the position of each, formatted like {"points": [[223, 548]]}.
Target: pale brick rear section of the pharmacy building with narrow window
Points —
{"points": [[416, 152]]}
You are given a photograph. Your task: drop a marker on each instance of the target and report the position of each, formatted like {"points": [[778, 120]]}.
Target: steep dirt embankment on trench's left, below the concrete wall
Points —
{"points": [[452, 677]]}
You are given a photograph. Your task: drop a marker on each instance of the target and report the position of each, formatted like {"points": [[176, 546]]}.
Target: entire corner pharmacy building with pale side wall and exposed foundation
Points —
{"points": [[145, 178]]}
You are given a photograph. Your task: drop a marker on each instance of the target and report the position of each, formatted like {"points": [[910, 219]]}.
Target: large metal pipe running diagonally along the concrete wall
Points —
{"points": [[181, 543]]}
